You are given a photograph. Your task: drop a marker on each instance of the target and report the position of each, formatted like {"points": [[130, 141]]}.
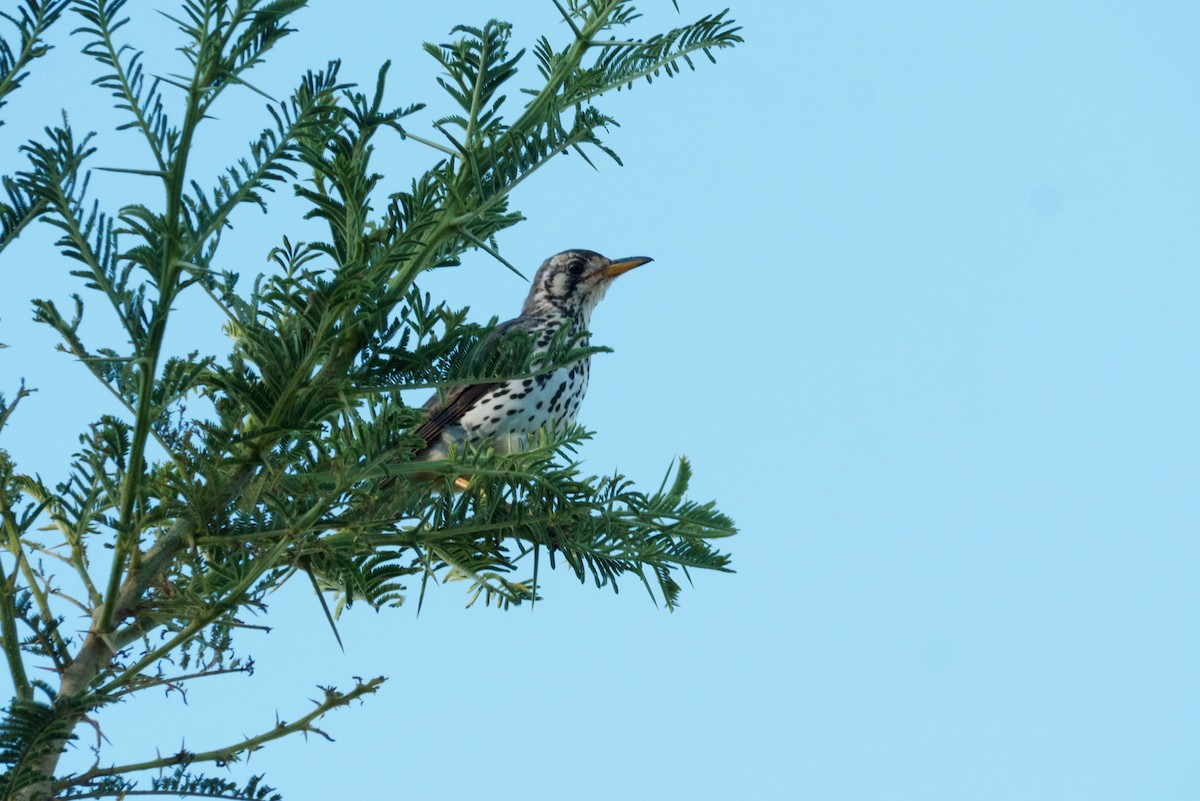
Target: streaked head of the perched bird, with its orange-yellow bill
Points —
{"points": [[573, 282]]}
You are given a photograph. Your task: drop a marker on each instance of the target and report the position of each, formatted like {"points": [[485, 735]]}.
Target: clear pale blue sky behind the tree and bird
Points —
{"points": [[922, 315]]}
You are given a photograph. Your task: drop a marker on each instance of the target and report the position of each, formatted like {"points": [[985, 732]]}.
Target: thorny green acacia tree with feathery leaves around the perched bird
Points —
{"points": [[171, 525]]}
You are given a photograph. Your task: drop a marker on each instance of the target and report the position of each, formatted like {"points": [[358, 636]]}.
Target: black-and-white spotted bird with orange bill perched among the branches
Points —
{"points": [[503, 414]]}
